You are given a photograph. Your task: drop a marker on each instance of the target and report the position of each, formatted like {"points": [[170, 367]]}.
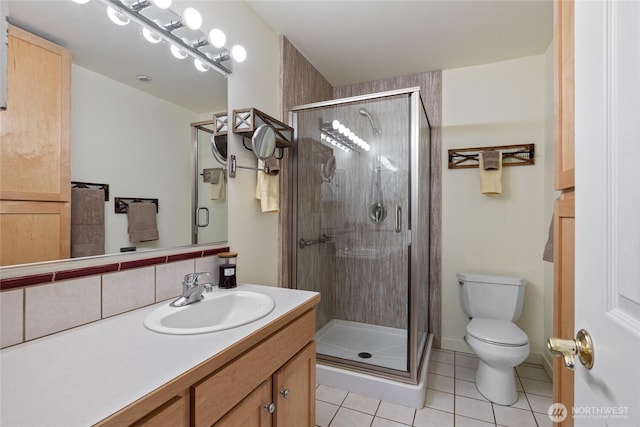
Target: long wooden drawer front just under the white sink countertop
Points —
{"points": [[220, 392]]}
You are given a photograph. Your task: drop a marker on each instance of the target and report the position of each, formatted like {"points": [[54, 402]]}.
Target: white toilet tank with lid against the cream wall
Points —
{"points": [[491, 296]]}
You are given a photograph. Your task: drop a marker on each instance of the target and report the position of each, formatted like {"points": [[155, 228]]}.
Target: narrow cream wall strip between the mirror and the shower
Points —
{"points": [[254, 83]]}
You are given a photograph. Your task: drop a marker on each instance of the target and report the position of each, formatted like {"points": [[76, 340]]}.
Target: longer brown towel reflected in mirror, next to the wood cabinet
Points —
{"points": [[87, 222]]}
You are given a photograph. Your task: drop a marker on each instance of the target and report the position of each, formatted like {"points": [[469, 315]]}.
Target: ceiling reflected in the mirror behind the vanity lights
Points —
{"points": [[120, 52]]}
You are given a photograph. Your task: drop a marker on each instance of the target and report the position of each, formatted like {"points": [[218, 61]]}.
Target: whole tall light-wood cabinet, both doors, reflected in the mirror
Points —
{"points": [[35, 212]]}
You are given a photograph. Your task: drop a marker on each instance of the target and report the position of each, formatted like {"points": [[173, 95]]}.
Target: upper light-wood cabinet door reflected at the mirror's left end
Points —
{"points": [[35, 128]]}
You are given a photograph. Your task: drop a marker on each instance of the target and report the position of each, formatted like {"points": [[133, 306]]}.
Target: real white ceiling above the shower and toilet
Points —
{"points": [[358, 41]]}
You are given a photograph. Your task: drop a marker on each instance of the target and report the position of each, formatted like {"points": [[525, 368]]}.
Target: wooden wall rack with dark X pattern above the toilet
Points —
{"points": [[512, 155]]}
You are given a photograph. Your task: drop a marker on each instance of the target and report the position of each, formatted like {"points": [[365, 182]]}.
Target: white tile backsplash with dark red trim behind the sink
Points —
{"points": [[79, 296]]}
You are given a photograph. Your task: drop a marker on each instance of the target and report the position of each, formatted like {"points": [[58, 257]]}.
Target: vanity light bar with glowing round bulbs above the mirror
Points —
{"points": [[153, 31]]}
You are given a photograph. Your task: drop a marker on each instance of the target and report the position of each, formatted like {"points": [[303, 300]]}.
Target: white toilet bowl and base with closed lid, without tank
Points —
{"points": [[500, 346]]}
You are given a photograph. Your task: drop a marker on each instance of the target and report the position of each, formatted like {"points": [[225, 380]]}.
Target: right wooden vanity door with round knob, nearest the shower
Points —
{"points": [[294, 390]]}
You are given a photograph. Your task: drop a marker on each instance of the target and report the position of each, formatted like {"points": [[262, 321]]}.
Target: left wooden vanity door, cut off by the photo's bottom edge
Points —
{"points": [[251, 411]]}
